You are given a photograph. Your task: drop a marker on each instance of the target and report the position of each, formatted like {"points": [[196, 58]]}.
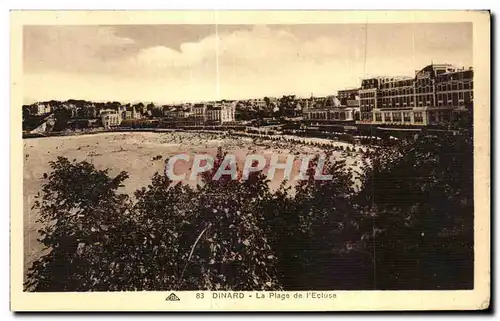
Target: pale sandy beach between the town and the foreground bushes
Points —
{"points": [[135, 153]]}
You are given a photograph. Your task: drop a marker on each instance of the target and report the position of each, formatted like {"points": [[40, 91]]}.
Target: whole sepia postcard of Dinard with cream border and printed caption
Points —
{"points": [[250, 160]]}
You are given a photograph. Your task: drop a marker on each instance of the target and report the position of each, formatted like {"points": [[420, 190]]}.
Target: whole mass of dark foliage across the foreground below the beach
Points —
{"points": [[409, 226]]}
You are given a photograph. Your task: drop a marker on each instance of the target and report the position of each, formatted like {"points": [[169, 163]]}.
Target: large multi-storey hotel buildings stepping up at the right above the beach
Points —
{"points": [[433, 96]]}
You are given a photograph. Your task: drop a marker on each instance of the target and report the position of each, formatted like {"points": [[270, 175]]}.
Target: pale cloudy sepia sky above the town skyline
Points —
{"points": [[174, 63]]}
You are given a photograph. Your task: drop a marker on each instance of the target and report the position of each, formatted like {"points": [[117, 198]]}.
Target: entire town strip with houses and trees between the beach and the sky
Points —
{"points": [[435, 97]]}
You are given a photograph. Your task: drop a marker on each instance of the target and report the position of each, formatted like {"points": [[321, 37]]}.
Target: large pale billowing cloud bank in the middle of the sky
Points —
{"points": [[261, 45]]}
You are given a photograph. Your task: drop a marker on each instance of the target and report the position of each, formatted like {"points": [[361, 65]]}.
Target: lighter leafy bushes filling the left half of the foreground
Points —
{"points": [[171, 237]]}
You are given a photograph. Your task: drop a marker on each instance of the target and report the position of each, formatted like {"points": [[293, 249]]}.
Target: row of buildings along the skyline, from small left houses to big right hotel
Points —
{"points": [[432, 96]]}
